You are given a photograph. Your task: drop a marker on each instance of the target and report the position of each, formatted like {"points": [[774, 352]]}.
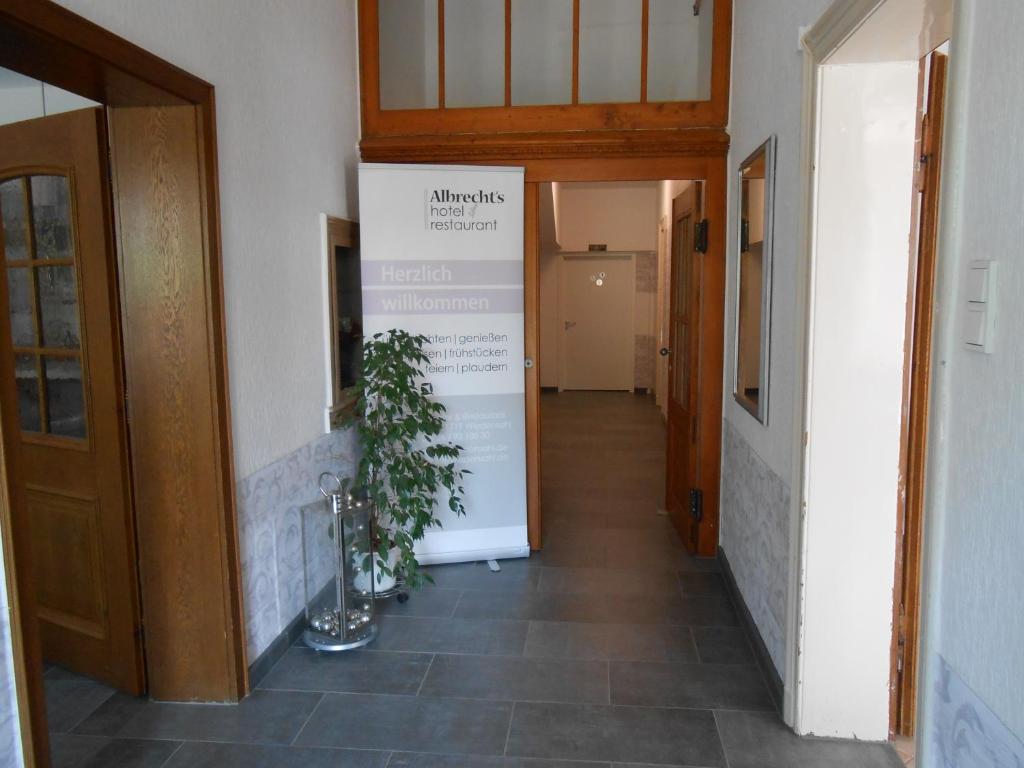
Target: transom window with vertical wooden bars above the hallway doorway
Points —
{"points": [[467, 54]]}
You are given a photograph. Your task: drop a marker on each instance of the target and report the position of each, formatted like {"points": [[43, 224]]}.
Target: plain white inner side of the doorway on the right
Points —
{"points": [[866, 165]]}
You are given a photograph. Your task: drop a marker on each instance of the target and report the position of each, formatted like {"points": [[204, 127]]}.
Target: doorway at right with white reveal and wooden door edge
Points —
{"points": [[865, 163]]}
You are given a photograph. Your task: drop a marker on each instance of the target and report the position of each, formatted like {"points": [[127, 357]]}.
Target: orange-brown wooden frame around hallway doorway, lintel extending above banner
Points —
{"points": [[598, 156]]}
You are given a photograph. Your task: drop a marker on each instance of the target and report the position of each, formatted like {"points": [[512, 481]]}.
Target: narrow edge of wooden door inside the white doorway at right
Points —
{"points": [[909, 611]]}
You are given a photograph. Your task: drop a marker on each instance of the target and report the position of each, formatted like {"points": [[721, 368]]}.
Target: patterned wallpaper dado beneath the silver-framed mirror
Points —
{"points": [[755, 510]]}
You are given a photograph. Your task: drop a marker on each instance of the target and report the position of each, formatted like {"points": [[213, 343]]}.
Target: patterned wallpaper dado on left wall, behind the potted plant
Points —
{"points": [[270, 538]]}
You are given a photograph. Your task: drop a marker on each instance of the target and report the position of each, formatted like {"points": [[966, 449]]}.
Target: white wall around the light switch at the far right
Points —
{"points": [[974, 522]]}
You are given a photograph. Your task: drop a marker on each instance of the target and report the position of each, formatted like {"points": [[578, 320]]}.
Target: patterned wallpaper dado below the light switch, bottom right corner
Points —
{"points": [[965, 734]]}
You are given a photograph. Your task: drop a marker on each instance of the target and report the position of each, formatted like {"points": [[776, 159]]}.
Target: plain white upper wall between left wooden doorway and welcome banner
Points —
{"points": [[287, 130]]}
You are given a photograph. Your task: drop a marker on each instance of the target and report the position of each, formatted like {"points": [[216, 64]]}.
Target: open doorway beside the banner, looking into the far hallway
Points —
{"points": [[618, 359]]}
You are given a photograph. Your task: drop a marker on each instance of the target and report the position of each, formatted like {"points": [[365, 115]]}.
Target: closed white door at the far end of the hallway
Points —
{"points": [[596, 297]]}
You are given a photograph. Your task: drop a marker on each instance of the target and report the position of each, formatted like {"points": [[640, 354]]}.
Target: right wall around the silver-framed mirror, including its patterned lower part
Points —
{"points": [[757, 467]]}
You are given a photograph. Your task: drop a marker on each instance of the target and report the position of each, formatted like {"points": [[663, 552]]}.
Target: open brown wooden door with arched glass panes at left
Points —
{"points": [[63, 390]]}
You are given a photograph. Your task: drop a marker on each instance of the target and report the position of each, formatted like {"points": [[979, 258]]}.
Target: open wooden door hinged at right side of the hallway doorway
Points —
{"points": [[685, 347]]}
